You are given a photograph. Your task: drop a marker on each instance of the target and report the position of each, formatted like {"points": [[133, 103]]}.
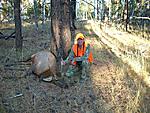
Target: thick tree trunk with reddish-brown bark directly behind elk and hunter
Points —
{"points": [[60, 28]]}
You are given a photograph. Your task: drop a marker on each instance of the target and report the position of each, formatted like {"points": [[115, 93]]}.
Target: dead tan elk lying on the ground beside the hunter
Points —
{"points": [[43, 65]]}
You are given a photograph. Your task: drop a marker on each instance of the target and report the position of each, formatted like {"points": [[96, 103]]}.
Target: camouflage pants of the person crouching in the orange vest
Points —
{"points": [[82, 66]]}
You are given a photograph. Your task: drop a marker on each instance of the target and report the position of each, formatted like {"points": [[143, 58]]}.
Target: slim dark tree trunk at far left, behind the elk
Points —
{"points": [[18, 34]]}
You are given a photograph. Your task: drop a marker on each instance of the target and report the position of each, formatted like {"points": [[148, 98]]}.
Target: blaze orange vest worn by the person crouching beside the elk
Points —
{"points": [[79, 52]]}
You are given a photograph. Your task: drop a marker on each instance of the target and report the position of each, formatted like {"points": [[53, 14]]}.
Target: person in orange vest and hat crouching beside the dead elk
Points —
{"points": [[80, 57]]}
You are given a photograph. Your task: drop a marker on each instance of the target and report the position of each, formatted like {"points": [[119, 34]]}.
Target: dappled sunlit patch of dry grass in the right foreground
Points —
{"points": [[121, 91]]}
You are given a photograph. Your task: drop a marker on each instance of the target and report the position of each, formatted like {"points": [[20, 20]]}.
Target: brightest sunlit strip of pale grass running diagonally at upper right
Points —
{"points": [[132, 54]]}
